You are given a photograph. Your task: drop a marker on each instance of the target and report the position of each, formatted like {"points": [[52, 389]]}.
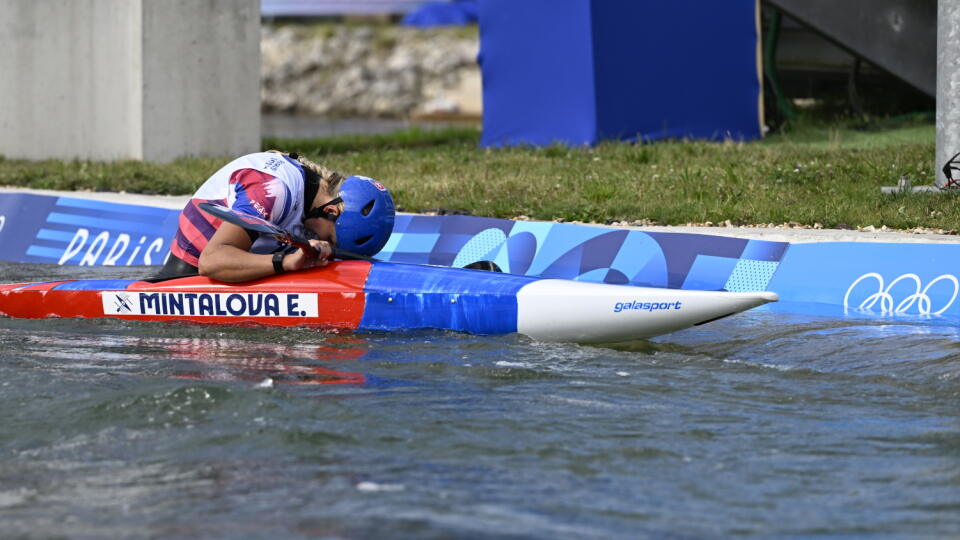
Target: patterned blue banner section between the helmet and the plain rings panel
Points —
{"points": [[587, 253]]}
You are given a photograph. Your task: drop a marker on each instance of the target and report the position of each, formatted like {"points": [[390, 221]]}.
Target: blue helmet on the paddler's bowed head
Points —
{"points": [[367, 218]]}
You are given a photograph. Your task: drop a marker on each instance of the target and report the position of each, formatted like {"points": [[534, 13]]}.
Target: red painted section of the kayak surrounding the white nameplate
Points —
{"points": [[338, 288]]}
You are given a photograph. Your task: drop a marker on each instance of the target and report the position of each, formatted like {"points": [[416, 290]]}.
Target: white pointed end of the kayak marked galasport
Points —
{"points": [[561, 310]]}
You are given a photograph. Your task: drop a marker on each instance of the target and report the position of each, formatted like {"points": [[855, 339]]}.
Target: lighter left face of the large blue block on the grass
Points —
{"points": [[537, 62]]}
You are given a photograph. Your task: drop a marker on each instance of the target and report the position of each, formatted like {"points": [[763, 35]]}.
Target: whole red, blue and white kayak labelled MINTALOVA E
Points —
{"points": [[382, 296]]}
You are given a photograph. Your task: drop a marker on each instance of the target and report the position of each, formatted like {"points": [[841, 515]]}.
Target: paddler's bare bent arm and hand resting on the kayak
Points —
{"points": [[226, 257]]}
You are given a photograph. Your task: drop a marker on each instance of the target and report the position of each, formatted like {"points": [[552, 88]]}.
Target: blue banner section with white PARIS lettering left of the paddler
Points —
{"points": [[85, 232]]}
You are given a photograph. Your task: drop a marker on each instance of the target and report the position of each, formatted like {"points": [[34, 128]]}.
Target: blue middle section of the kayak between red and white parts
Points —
{"points": [[411, 296]]}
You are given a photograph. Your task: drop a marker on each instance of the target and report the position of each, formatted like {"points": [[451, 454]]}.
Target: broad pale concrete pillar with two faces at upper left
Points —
{"points": [[129, 79]]}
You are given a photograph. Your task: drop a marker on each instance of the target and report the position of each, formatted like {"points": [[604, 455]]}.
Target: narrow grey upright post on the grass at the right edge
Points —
{"points": [[948, 84]]}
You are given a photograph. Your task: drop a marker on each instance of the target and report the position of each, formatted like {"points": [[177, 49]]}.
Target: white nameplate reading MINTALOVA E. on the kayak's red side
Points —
{"points": [[200, 304]]}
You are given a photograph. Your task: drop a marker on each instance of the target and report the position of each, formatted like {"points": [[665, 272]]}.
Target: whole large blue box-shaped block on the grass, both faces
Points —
{"points": [[580, 71]]}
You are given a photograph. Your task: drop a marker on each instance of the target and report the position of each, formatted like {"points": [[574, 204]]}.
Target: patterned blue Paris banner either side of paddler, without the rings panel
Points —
{"points": [[86, 232]]}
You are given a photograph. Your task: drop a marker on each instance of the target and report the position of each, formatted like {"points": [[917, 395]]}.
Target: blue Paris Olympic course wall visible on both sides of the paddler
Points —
{"points": [[861, 279]]}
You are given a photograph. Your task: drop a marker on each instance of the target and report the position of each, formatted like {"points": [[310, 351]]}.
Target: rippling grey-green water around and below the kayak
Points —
{"points": [[766, 423]]}
